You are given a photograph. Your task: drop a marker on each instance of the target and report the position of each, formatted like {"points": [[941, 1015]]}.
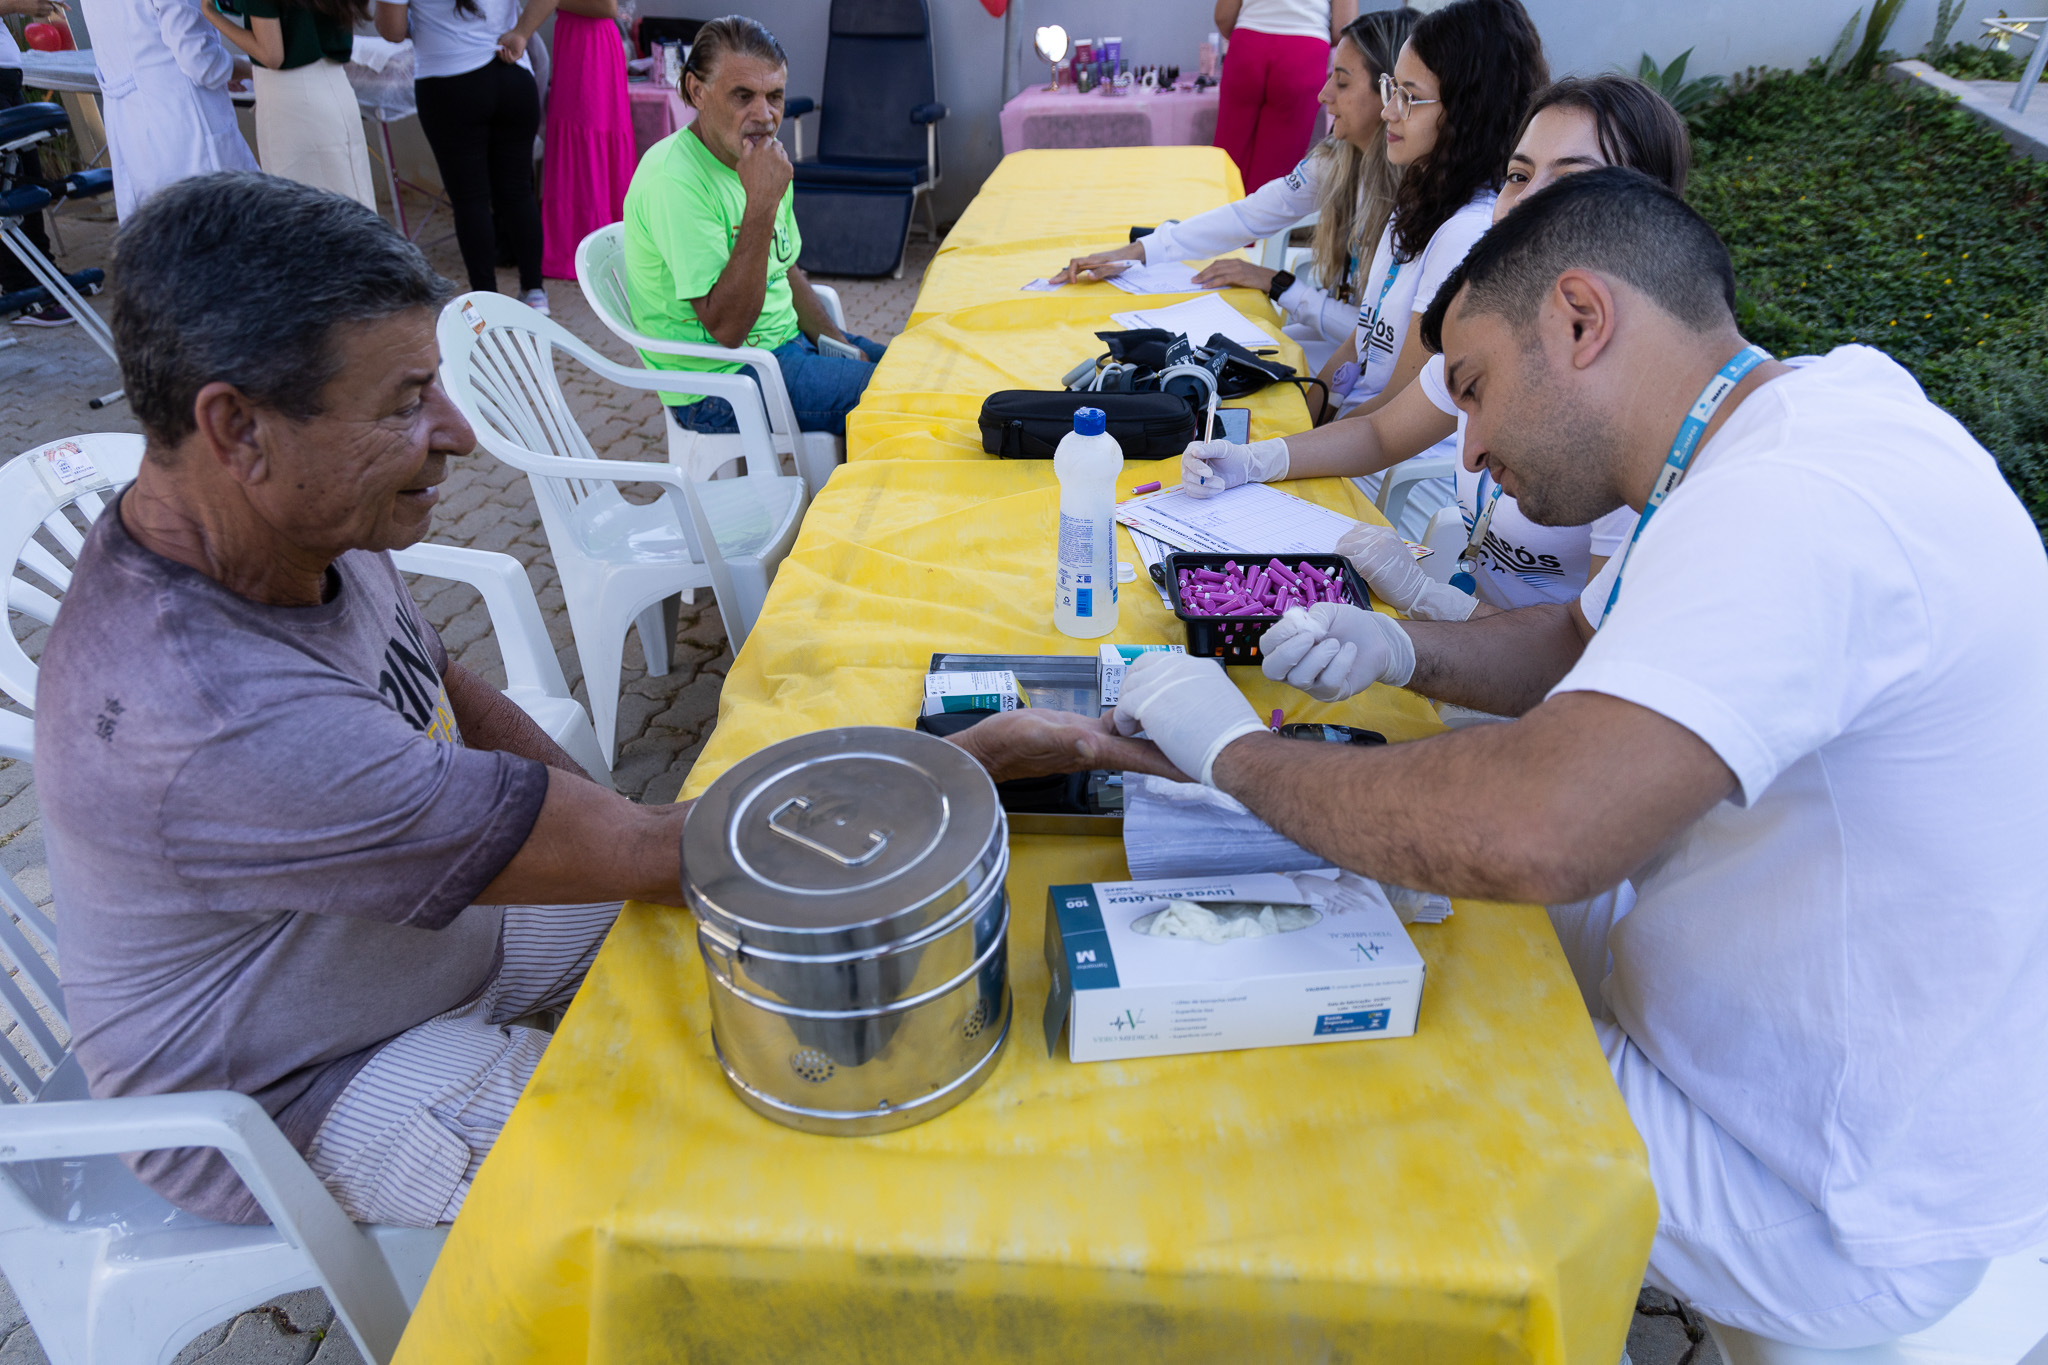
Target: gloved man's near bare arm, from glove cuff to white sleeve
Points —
{"points": [[1555, 807]]}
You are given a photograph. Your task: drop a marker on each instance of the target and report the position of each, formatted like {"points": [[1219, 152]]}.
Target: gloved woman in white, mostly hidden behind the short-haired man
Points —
{"points": [[1574, 124]]}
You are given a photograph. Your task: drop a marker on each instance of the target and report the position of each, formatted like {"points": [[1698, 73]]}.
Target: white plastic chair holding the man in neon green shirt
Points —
{"points": [[603, 275]]}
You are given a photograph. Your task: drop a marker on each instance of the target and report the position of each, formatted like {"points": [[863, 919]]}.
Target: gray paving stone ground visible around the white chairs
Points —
{"points": [[46, 382]]}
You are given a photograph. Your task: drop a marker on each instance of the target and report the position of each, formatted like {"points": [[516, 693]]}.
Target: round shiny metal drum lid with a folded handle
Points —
{"points": [[843, 840]]}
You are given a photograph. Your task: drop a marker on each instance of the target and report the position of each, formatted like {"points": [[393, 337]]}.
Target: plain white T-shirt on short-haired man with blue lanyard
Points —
{"points": [[1846, 963]]}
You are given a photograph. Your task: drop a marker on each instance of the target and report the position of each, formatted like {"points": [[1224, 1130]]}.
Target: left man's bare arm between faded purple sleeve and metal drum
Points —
{"points": [[591, 844]]}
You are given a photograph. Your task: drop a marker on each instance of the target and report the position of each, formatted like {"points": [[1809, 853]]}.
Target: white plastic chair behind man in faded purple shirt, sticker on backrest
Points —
{"points": [[42, 535]]}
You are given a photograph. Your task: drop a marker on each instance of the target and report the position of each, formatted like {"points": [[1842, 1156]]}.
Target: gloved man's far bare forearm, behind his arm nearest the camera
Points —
{"points": [[1504, 664]]}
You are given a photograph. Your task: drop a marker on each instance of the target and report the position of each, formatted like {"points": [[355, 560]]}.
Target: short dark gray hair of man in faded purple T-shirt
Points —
{"points": [[243, 279]]}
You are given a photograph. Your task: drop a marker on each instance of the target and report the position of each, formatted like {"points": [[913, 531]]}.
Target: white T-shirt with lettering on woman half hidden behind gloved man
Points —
{"points": [[1527, 564]]}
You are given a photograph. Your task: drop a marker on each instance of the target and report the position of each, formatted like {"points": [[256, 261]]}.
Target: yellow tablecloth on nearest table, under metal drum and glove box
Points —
{"points": [[1469, 1194]]}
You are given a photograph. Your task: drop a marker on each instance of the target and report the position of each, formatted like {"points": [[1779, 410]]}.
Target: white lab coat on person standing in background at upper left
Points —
{"points": [[165, 89]]}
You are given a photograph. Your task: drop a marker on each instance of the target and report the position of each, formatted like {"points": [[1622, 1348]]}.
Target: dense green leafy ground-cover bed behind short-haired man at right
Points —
{"points": [[1887, 216]]}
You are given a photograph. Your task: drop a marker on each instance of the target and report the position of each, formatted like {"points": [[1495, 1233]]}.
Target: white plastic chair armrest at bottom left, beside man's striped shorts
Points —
{"points": [[286, 1188]]}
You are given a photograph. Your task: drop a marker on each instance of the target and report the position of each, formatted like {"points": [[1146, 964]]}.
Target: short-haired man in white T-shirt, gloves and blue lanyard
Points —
{"points": [[1809, 730]]}
